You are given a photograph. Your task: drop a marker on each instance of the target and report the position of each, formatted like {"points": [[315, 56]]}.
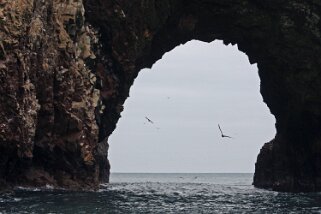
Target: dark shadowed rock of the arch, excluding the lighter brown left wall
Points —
{"points": [[283, 38]]}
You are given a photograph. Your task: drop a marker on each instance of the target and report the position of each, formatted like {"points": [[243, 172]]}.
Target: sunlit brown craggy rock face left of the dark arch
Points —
{"points": [[48, 130]]}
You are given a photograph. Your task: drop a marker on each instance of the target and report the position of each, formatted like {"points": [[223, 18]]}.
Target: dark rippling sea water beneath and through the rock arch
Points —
{"points": [[163, 193]]}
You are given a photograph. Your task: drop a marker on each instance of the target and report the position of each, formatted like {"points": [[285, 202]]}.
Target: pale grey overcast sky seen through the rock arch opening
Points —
{"points": [[186, 94]]}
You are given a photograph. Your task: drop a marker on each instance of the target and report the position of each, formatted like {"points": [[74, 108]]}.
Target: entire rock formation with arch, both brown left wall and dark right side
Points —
{"points": [[65, 76]]}
